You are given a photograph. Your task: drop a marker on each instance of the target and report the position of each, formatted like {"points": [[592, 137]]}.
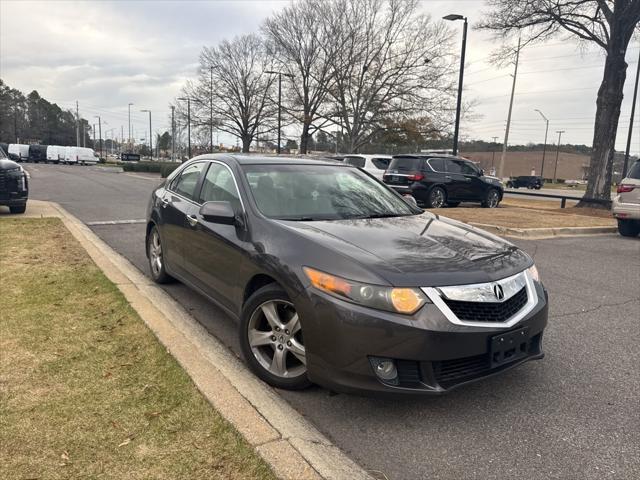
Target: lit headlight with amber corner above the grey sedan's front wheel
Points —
{"points": [[391, 299]]}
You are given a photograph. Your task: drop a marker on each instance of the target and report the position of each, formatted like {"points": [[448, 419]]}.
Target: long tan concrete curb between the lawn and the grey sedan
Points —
{"points": [[293, 447]]}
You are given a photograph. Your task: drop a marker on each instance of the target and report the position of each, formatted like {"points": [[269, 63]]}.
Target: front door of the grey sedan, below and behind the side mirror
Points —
{"points": [[214, 252]]}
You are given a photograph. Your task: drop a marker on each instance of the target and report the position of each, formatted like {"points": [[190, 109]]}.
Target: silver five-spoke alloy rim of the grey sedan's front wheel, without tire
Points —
{"points": [[275, 337]]}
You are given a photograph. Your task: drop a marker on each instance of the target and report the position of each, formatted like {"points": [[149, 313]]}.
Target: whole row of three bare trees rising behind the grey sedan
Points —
{"points": [[357, 70]]}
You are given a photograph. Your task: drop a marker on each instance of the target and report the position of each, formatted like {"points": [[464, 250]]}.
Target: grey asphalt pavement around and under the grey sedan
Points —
{"points": [[573, 415]]}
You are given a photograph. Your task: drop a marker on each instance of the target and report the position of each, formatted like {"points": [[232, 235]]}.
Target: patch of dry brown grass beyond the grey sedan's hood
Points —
{"points": [[529, 216]]}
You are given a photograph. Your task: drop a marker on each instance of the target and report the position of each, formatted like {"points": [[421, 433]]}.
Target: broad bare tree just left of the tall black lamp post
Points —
{"points": [[391, 63]]}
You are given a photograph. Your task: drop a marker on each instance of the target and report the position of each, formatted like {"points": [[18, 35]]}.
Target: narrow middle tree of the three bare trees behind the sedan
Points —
{"points": [[301, 45]]}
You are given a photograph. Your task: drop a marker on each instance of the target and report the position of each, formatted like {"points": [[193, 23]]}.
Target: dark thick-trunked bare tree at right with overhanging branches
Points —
{"points": [[607, 23]]}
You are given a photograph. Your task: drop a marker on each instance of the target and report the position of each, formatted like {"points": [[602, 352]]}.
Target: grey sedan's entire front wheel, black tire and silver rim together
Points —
{"points": [[271, 339]]}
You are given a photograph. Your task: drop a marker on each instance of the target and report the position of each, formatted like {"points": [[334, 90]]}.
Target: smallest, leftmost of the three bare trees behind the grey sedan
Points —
{"points": [[232, 82]]}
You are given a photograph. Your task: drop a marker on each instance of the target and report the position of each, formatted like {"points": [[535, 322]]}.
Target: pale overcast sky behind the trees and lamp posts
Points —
{"points": [[106, 54]]}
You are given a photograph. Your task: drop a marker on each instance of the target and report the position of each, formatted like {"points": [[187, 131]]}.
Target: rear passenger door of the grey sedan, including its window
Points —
{"points": [[176, 203]]}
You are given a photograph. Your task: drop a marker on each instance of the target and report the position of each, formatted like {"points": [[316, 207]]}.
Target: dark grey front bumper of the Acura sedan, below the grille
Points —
{"points": [[432, 354]]}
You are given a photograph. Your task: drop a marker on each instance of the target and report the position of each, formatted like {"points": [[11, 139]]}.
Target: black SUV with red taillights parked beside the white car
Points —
{"points": [[437, 181]]}
